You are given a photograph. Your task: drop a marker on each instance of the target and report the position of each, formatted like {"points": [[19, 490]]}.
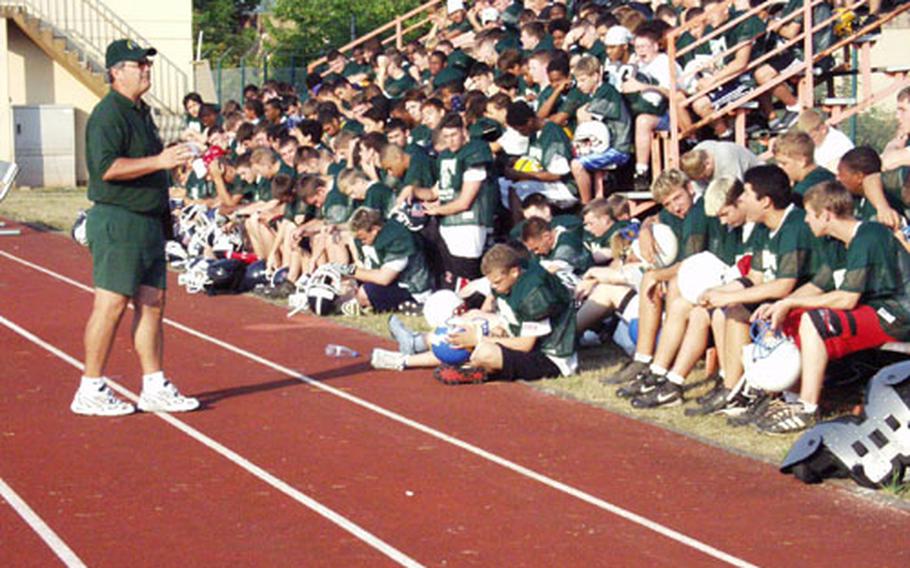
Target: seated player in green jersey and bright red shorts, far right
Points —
{"points": [[865, 296]]}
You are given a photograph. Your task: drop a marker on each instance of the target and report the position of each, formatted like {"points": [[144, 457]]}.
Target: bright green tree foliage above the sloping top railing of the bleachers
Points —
{"points": [[320, 25]]}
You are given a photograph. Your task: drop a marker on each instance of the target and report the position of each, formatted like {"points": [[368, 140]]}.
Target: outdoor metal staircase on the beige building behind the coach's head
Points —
{"points": [[75, 34]]}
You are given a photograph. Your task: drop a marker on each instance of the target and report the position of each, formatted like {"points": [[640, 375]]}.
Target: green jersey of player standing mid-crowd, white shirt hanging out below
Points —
{"points": [[475, 155]]}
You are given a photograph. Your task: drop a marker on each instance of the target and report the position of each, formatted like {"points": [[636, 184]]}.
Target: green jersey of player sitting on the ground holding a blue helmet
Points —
{"points": [[539, 305]]}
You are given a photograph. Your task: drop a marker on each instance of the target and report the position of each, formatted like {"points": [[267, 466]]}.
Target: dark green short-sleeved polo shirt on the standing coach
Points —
{"points": [[120, 128]]}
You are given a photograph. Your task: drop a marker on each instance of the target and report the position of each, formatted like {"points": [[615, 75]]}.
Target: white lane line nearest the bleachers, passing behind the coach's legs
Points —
{"points": [[468, 447]]}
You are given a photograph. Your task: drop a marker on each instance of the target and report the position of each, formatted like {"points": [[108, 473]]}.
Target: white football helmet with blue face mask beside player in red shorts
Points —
{"points": [[772, 361]]}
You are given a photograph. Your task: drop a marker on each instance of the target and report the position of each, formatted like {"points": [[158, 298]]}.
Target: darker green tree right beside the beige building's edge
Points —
{"points": [[222, 24]]}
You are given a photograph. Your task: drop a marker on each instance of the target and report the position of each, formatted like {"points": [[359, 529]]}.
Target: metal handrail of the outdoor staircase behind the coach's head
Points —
{"points": [[89, 26]]}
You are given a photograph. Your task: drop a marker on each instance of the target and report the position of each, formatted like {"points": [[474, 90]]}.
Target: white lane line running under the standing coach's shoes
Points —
{"points": [[236, 459]]}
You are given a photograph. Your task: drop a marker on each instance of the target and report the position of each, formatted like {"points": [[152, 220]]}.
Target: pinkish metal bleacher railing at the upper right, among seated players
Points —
{"points": [[804, 71]]}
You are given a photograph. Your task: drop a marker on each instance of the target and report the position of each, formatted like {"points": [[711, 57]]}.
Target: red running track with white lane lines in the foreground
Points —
{"points": [[431, 500]]}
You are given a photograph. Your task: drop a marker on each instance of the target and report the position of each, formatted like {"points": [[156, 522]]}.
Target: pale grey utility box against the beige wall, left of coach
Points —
{"points": [[45, 145]]}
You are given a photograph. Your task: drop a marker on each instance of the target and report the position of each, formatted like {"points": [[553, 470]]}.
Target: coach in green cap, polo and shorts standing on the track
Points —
{"points": [[128, 183]]}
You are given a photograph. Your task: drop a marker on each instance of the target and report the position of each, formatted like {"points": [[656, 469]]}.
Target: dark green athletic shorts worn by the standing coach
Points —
{"points": [[127, 249]]}
